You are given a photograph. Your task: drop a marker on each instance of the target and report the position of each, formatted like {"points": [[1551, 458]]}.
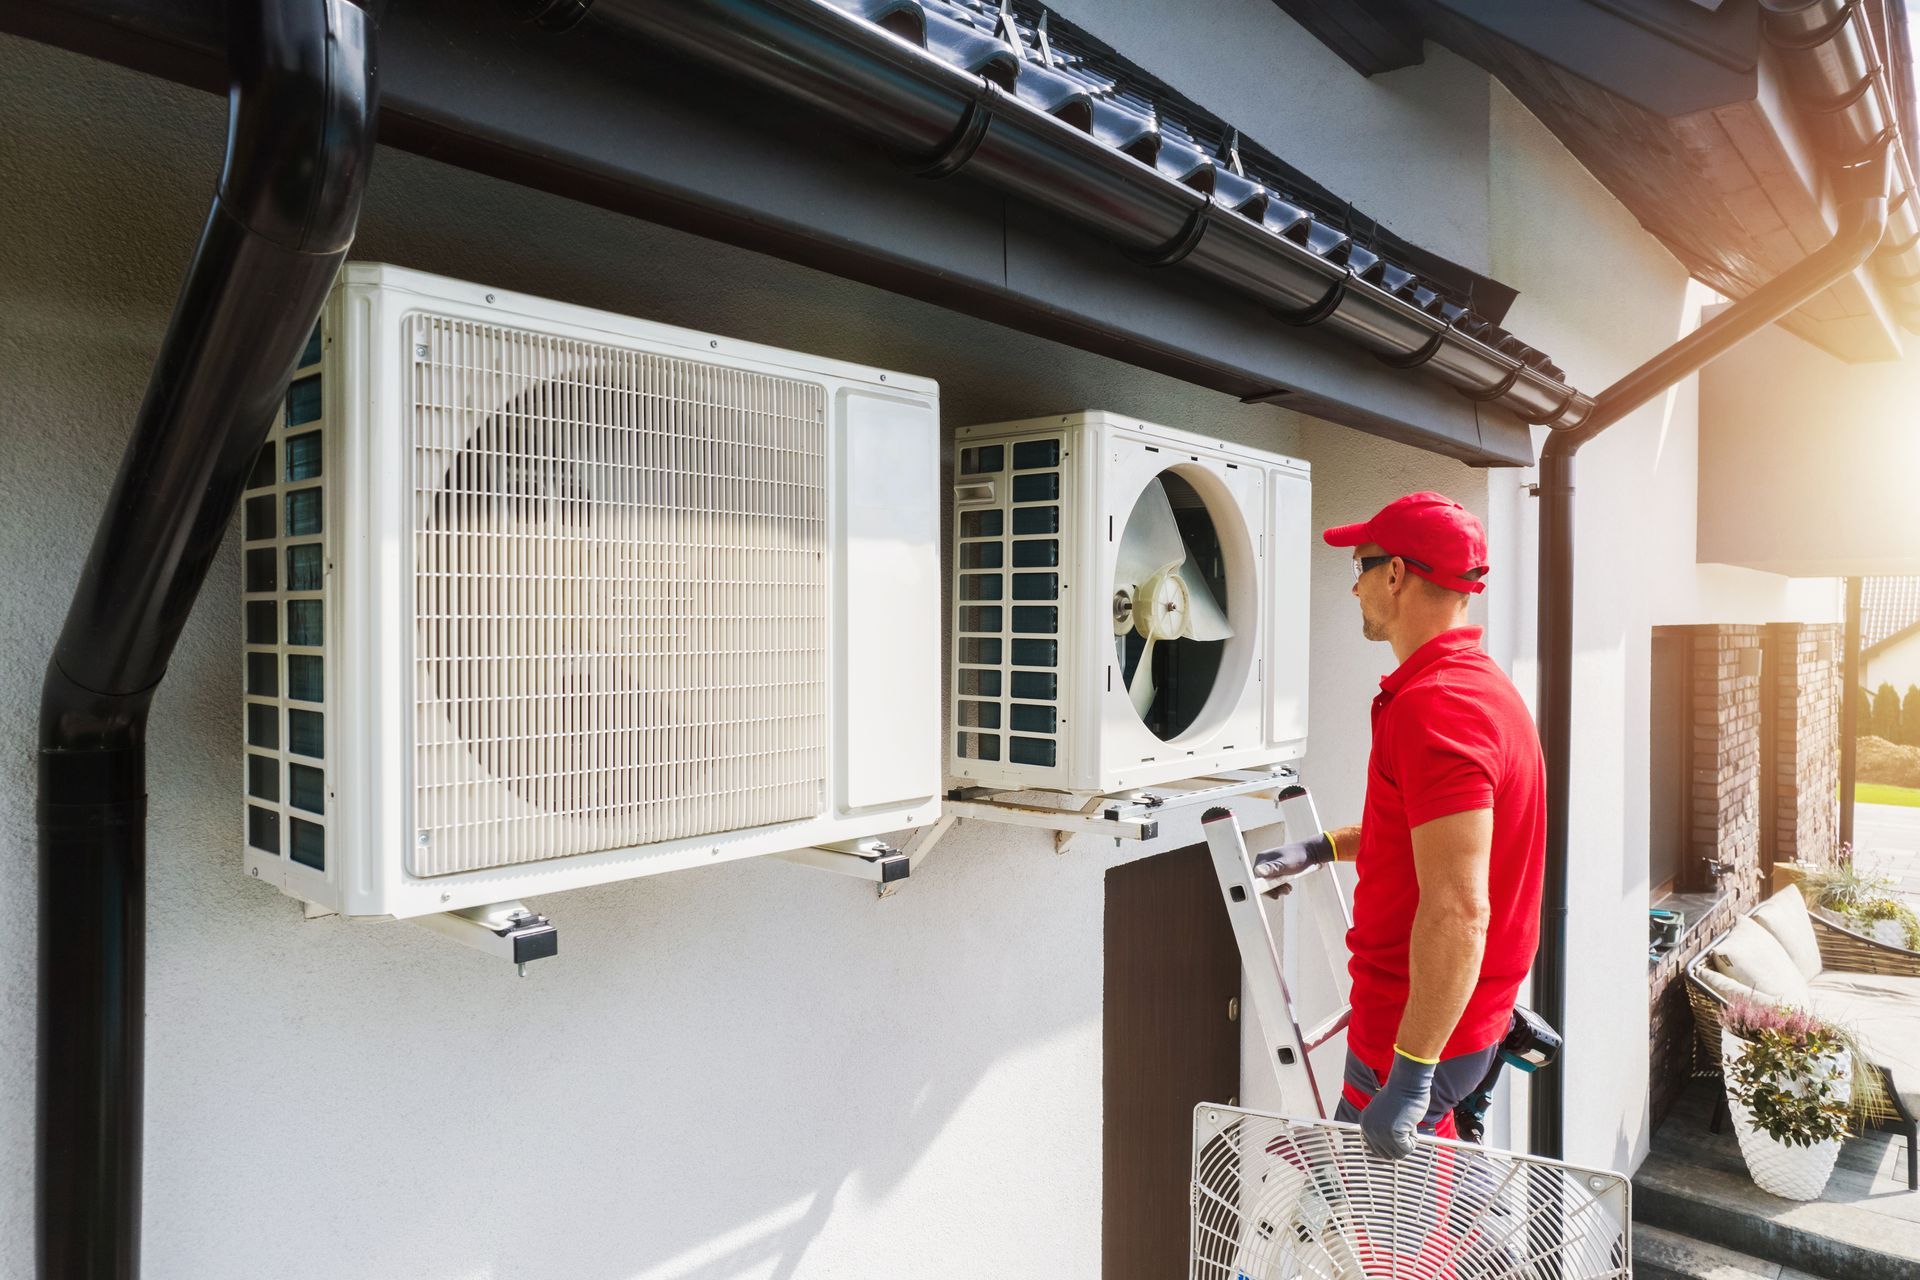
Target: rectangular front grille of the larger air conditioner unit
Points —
{"points": [[621, 590]]}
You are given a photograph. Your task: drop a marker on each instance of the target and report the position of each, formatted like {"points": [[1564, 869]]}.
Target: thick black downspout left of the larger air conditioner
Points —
{"points": [[299, 147]]}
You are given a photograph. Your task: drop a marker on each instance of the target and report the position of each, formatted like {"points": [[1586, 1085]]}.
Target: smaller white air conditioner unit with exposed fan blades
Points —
{"points": [[1130, 605]]}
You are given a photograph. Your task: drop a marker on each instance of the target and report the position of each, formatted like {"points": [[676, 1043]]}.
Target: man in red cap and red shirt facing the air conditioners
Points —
{"points": [[1451, 845]]}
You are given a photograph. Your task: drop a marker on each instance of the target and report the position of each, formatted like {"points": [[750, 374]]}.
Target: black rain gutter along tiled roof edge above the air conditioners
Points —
{"points": [[878, 80]]}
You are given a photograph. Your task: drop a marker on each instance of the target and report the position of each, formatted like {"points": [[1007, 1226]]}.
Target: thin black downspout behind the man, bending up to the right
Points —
{"points": [[1863, 220]]}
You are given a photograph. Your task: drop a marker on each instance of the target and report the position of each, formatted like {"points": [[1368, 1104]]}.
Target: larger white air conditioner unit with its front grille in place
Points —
{"points": [[542, 598]]}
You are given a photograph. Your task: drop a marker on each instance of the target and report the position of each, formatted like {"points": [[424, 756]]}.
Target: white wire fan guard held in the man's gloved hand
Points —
{"points": [[1282, 1198]]}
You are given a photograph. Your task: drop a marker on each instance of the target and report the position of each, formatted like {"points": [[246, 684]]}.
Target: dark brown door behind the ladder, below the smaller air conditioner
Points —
{"points": [[1172, 1041]]}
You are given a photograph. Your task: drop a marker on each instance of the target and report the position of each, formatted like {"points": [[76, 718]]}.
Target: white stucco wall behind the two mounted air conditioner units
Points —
{"points": [[744, 1072]]}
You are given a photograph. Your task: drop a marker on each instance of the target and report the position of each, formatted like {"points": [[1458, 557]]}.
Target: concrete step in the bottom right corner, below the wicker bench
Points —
{"points": [[1723, 1208]]}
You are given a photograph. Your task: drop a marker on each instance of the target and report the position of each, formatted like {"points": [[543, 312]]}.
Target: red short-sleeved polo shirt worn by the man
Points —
{"points": [[1451, 736]]}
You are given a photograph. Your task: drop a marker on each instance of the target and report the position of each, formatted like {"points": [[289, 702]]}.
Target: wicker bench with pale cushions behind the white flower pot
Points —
{"points": [[1842, 953]]}
